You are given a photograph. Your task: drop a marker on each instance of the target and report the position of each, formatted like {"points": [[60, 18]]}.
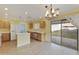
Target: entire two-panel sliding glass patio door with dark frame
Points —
{"points": [[64, 33]]}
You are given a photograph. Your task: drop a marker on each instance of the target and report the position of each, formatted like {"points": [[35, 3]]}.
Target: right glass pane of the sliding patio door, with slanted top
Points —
{"points": [[69, 35]]}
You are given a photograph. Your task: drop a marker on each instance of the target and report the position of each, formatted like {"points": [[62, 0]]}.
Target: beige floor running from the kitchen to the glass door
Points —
{"points": [[35, 48]]}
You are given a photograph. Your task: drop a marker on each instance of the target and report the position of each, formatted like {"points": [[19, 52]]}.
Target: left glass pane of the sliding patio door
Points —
{"points": [[56, 32]]}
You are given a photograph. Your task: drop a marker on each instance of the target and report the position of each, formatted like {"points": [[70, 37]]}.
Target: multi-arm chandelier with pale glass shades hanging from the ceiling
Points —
{"points": [[51, 12]]}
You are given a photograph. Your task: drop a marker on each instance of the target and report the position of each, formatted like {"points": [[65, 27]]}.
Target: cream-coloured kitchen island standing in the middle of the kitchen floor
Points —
{"points": [[23, 39]]}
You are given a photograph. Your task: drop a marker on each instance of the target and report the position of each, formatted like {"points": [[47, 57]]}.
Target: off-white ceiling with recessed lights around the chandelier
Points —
{"points": [[33, 10]]}
